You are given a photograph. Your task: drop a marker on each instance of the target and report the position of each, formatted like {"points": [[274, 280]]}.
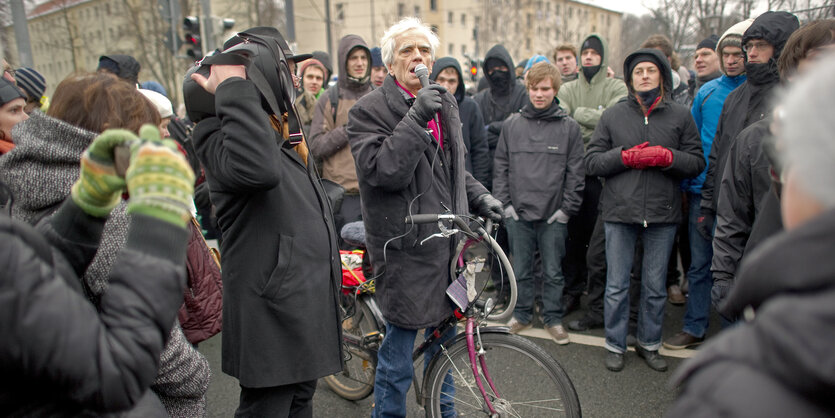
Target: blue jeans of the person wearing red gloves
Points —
{"points": [[620, 253]]}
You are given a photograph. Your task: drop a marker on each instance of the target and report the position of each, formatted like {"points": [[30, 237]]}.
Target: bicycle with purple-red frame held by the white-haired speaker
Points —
{"points": [[476, 390]]}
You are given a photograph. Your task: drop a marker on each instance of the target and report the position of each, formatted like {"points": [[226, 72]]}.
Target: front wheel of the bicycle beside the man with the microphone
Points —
{"points": [[528, 382]]}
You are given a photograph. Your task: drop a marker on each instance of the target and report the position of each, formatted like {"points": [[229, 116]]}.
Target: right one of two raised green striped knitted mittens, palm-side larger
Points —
{"points": [[160, 181]]}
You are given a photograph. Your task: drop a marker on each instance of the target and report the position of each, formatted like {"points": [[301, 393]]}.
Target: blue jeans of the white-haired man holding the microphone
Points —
{"points": [[394, 370]]}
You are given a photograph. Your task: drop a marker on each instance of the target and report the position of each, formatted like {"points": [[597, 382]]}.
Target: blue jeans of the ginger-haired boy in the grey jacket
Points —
{"points": [[525, 237]]}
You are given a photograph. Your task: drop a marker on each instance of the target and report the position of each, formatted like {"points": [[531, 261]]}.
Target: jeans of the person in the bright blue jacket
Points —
{"points": [[698, 276]]}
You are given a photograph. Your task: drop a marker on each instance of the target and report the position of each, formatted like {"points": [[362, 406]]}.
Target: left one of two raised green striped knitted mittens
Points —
{"points": [[99, 188]]}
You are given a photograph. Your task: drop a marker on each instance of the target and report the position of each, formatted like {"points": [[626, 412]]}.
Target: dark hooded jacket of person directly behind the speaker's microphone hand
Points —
{"points": [[478, 160]]}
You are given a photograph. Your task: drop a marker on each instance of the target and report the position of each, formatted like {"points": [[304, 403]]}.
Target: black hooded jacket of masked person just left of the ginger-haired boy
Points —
{"points": [[496, 108]]}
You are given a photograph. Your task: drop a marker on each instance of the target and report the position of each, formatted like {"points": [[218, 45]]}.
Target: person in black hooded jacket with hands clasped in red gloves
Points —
{"points": [[643, 147]]}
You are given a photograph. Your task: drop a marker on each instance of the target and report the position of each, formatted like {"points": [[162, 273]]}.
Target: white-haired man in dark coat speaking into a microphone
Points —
{"points": [[406, 141]]}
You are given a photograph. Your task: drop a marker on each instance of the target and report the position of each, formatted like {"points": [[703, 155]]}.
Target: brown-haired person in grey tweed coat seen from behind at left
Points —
{"points": [[41, 170]]}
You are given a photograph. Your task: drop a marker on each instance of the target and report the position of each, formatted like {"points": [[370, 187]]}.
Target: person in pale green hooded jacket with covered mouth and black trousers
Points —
{"points": [[585, 99]]}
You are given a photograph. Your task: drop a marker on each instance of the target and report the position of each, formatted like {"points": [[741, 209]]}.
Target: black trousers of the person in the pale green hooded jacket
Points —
{"points": [[580, 229]]}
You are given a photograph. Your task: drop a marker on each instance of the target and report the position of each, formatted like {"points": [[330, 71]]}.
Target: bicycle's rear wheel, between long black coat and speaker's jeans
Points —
{"points": [[361, 334]]}
